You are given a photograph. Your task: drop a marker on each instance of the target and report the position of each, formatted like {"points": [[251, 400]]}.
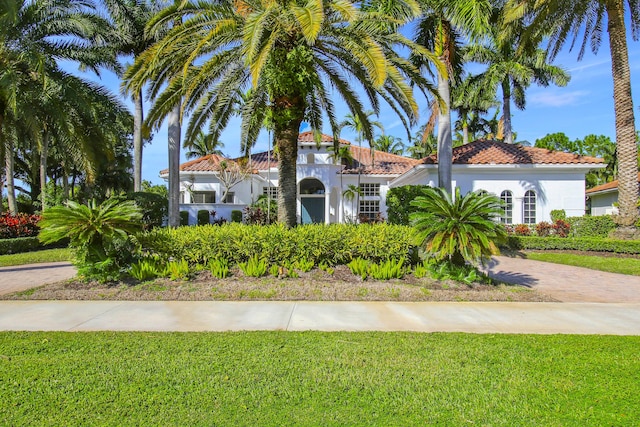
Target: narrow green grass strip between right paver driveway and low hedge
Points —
{"points": [[629, 266]]}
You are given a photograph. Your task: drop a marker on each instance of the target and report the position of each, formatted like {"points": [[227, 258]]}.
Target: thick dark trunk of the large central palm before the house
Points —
{"points": [[286, 140]]}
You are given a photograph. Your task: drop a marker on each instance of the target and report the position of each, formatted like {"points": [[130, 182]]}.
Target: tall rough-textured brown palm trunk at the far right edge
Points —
{"points": [[627, 150]]}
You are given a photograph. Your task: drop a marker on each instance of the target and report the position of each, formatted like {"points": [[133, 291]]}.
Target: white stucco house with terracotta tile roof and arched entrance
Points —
{"points": [[531, 181]]}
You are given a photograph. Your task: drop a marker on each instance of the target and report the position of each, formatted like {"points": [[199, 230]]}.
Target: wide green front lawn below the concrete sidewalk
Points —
{"points": [[312, 378]]}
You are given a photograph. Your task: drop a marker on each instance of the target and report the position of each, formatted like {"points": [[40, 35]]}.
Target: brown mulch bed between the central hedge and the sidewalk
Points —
{"points": [[316, 285]]}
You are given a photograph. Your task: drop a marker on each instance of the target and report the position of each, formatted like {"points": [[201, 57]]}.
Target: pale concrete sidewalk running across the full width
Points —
{"points": [[530, 318]]}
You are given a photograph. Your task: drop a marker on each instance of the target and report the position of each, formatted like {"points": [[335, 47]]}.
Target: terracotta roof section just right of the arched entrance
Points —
{"points": [[381, 164]]}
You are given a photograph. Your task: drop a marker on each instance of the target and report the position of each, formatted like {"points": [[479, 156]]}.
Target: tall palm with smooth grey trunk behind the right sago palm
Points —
{"points": [[440, 30]]}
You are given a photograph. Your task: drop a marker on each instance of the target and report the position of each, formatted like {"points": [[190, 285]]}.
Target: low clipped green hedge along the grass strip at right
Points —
{"points": [[576, 244]]}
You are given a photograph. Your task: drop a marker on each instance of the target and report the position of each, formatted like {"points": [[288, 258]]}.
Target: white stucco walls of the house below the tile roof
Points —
{"points": [[321, 187]]}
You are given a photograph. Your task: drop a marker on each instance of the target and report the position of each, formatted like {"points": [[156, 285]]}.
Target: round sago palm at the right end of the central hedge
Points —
{"points": [[459, 230]]}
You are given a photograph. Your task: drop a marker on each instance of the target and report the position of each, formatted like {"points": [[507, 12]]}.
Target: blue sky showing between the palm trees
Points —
{"points": [[583, 107]]}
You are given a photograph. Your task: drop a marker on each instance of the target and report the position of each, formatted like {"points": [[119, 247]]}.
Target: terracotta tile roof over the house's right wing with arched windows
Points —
{"points": [[483, 152]]}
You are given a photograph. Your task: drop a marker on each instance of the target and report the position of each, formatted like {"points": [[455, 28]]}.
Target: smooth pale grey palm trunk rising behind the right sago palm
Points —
{"points": [[445, 150]]}
